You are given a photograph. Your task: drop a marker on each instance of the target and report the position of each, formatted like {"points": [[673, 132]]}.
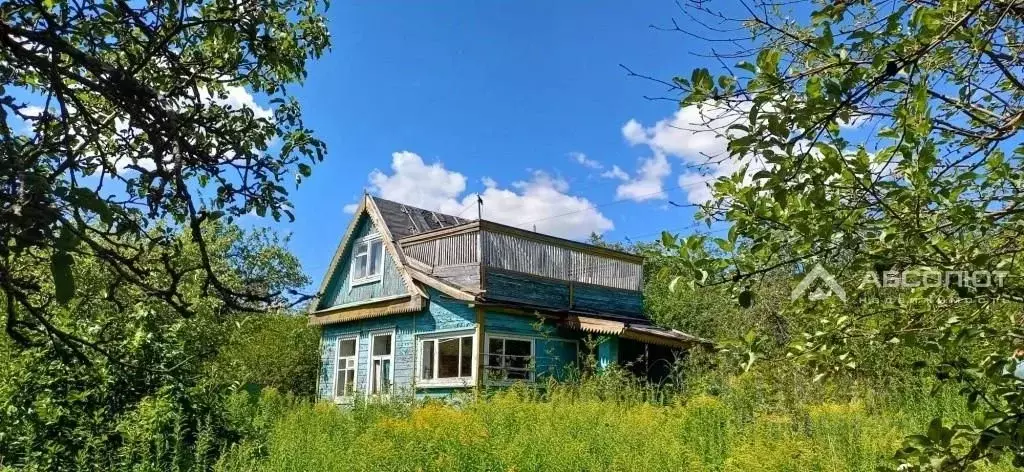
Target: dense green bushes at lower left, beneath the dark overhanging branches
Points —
{"points": [[146, 400]]}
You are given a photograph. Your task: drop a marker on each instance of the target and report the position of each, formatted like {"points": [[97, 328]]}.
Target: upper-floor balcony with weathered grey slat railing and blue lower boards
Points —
{"points": [[505, 264]]}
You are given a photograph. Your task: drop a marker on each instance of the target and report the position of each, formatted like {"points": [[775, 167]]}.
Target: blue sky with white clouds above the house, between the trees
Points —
{"points": [[508, 92]]}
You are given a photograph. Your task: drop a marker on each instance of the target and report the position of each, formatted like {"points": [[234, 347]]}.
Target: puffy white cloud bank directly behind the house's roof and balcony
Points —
{"points": [[542, 200]]}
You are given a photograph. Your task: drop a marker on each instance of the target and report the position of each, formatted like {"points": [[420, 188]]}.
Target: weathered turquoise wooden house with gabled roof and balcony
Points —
{"points": [[418, 303]]}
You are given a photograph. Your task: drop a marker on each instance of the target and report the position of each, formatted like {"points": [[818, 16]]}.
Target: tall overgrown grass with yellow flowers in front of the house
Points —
{"points": [[595, 427]]}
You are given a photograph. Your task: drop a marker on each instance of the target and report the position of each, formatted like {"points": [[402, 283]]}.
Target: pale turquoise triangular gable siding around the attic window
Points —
{"points": [[340, 292]]}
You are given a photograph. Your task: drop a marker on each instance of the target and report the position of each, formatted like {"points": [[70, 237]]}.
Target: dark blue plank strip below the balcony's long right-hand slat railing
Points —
{"points": [[521, 288]]}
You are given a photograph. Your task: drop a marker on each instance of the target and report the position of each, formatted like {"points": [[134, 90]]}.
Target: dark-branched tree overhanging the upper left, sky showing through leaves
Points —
{"points": [[125, 123]]}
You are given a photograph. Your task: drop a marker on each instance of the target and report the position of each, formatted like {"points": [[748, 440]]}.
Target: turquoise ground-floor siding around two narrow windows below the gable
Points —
{"points": [[441, 315]]}
